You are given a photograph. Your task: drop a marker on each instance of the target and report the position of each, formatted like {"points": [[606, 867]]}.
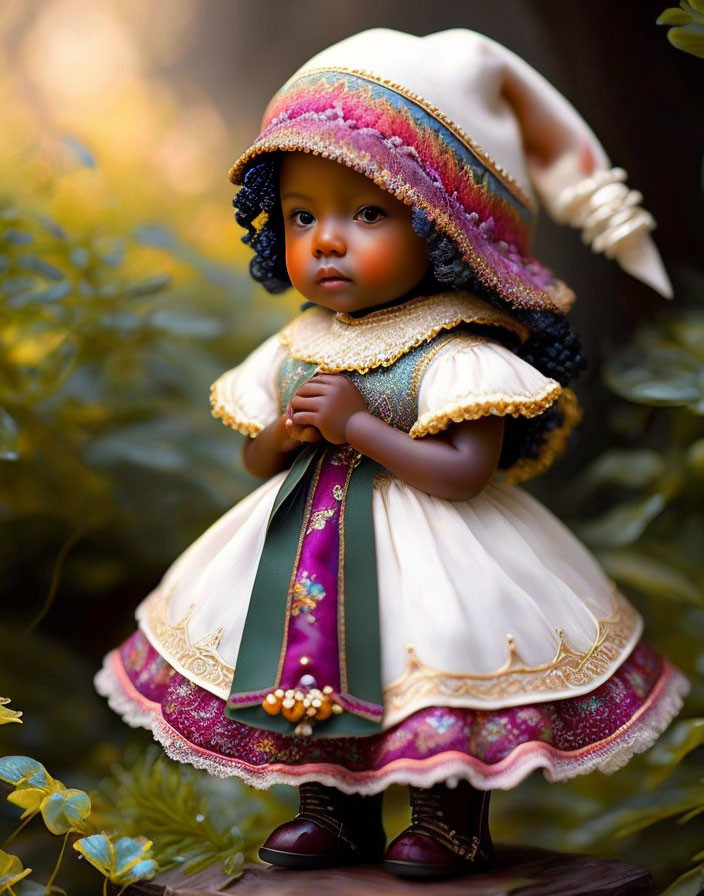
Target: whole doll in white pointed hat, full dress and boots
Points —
{"points": [[389, 606]]}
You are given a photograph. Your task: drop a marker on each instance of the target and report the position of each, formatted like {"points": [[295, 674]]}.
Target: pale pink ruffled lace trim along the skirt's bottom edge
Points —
{"points": [[609, 755]]}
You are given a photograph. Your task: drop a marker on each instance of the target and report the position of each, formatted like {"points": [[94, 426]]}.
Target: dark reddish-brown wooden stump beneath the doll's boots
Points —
{"points": [[520, 871]]}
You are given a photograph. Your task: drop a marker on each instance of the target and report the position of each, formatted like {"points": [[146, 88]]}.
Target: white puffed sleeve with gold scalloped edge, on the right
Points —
{"points": [[473, 376]]}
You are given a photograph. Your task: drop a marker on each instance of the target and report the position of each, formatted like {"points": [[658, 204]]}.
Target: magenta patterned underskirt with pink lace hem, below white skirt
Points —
{"points": [[490, 748]]}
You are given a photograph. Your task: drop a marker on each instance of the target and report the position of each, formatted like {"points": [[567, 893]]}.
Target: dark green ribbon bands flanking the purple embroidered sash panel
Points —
{"points": [[264, 629]]}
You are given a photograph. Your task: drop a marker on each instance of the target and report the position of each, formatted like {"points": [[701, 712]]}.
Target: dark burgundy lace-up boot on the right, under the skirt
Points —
{"points": [[448, 835]]}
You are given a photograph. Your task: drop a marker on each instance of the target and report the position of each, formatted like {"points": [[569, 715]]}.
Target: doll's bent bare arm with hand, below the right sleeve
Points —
{"points": [[455, 465]]}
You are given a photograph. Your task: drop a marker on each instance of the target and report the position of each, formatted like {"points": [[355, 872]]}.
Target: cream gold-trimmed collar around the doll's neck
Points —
{"points": [[338, 341]]}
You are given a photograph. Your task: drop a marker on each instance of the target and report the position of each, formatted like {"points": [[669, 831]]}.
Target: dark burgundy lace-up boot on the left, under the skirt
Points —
{"points": [[331, 828]]}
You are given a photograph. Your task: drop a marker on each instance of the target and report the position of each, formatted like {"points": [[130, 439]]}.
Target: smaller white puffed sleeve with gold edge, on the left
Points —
{"points": [[247, 397]]}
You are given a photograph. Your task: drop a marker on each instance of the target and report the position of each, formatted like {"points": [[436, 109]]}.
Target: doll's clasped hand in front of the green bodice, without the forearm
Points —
{"points": [[327, 401]]}
